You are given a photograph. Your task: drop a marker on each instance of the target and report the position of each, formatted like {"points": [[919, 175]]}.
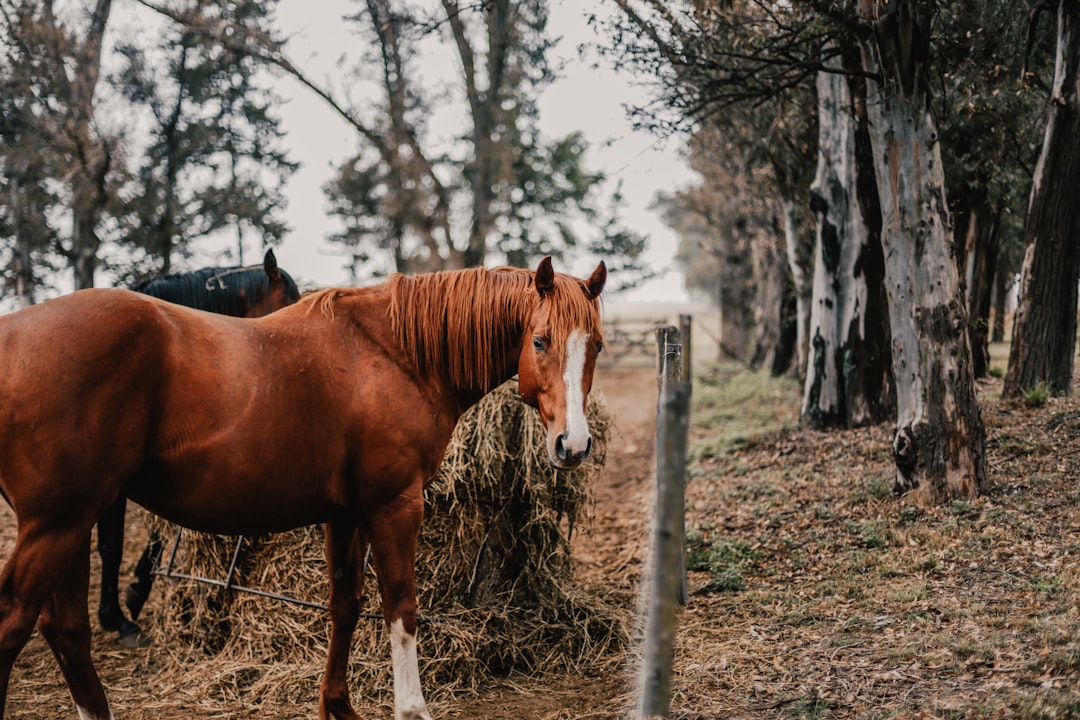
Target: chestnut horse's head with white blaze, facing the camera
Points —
{"points": [[558, 358]]}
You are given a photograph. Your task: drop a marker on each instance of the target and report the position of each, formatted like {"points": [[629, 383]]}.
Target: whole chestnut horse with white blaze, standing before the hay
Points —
{"points": [[336, 410]]}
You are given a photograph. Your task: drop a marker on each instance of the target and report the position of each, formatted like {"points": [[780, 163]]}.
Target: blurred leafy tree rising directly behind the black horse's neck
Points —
{"points": [[213, 160]]}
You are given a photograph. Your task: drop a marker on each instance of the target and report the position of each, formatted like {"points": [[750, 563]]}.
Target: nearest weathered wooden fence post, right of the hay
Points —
{"points": [[668, 554]]}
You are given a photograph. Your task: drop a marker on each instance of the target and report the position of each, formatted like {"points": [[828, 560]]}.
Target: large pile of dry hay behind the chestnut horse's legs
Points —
{"points": [[496, 587]]}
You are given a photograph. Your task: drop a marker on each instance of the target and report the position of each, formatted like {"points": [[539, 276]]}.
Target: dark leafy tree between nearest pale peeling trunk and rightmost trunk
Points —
{"points": [[991, 129]]}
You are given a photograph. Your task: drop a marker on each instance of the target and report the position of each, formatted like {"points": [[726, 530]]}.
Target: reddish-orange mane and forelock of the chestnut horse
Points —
{"points": [[466, 323]]}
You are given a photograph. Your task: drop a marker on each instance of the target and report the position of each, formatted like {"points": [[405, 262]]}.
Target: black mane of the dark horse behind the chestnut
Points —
{"points": [[223, 291]]}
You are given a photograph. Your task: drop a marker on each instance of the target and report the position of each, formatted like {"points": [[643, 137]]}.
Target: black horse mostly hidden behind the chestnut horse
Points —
{"points": [[241, 292]]}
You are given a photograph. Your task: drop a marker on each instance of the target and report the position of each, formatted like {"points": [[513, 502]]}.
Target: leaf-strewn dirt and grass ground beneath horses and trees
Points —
{"points": [[815, 592]]}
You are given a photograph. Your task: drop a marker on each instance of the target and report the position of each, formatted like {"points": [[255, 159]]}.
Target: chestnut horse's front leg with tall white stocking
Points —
{"points": [[394, 540]]}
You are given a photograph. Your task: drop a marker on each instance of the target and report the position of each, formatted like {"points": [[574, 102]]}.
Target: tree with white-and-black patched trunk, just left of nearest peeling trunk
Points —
{"points": [[752, 69]]}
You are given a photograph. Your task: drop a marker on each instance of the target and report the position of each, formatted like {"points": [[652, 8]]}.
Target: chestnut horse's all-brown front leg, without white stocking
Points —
{"points": [[344, 542]]}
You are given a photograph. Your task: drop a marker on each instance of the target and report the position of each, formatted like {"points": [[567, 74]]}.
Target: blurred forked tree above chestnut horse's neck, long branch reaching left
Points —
{"points": [[499, 187]]}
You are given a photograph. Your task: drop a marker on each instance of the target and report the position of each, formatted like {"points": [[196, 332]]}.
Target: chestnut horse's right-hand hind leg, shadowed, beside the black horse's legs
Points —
{"points": [[65, 624]]}
